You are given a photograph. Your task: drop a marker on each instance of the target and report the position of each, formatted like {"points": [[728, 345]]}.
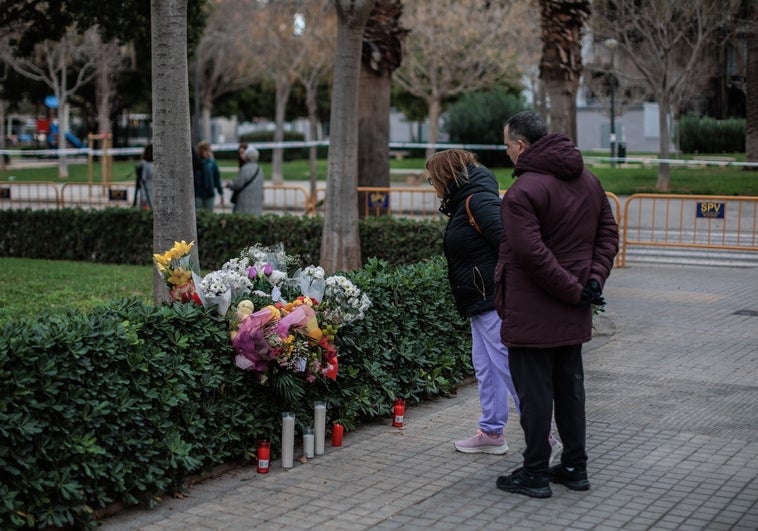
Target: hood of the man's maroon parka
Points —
{"points": [[554, 154]]}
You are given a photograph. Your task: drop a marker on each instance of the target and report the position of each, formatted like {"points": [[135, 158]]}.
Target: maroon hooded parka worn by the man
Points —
{"points": [[558, 232]]}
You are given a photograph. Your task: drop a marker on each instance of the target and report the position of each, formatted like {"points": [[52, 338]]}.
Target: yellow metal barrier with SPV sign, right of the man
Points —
{"points": [[714, 222]]}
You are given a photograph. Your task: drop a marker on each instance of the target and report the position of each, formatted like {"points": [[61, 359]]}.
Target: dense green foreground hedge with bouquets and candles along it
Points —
{"points": [[123, 403]]}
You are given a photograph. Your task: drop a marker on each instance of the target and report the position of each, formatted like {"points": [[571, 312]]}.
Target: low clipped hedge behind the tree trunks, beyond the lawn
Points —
{"points": [[125, 236]]}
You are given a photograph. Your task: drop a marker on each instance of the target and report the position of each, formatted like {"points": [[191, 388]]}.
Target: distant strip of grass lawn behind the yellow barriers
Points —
{"points": [[626, 179]]}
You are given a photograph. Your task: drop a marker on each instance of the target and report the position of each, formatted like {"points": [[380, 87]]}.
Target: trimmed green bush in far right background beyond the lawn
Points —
{"points": [[702, 134]]}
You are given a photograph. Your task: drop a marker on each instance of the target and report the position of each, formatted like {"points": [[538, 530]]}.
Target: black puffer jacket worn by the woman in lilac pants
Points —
{"points": [[472, 257]]}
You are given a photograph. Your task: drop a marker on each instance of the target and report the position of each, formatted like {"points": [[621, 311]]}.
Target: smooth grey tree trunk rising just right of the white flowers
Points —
{"points": [[340, 242]]}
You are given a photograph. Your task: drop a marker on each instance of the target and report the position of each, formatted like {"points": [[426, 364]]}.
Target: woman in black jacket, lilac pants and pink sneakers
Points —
{"points": [[470, 198]]}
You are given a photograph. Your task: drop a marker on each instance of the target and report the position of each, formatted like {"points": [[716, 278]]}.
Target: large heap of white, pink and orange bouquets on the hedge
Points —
{"points": [[295, 328]]}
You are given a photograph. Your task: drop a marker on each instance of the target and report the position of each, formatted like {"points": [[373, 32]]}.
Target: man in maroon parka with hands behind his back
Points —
{"points": [[557, 249]]}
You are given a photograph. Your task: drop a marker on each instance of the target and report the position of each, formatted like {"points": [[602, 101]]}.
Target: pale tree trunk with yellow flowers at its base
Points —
{"points": [[173, 201]]}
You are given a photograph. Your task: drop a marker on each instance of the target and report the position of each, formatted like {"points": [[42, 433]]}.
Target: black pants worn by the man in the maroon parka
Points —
{"points": [[543, 377]]}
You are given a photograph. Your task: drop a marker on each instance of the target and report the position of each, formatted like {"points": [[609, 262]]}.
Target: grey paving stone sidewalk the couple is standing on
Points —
{"points": [[672, 414]]}
